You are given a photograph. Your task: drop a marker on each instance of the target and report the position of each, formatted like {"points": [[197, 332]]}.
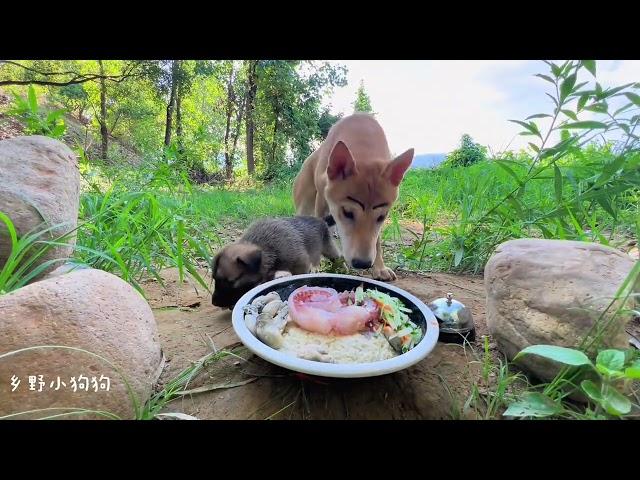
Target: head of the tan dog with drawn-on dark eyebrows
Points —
{"points": [[359, 198]]}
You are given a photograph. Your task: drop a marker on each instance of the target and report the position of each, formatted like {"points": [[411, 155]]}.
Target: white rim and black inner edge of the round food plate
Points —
{"points": [[421, 314]]}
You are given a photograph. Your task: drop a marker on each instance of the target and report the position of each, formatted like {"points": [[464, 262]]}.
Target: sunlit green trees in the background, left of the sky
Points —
{"points": [[216, 117]]}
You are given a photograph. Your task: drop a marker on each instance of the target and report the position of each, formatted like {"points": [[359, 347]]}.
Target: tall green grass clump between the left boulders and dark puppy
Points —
{"points": [[136, 234]]}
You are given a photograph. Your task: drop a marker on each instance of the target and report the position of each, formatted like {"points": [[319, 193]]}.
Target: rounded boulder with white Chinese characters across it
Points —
{"points": [[85, 309]]}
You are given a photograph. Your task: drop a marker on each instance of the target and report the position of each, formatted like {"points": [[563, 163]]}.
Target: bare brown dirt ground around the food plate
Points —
{"points": [[246, 387]]}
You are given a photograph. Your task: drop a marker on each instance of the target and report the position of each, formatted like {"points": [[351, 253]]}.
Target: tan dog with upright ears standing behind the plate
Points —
{"points": [[353, 178]]}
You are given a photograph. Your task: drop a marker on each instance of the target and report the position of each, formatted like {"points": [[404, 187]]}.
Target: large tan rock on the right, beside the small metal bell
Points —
{"points": [[550, 292]]}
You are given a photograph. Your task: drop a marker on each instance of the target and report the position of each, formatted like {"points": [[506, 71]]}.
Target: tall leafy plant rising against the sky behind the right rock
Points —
{"points": [[575, 203]]}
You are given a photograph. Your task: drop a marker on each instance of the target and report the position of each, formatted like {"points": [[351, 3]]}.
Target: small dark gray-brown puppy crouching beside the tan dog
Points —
{"points": [[270, 248]]}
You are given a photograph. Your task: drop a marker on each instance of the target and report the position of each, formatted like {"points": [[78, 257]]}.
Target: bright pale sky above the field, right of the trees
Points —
{"points": [[428, 105]]}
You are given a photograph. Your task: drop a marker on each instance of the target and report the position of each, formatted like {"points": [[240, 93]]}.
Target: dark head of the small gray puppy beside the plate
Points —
{"points": [[236, 270]]}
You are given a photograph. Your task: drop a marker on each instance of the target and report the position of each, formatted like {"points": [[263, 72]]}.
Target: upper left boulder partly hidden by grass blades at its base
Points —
{"points": [[39, 188]]}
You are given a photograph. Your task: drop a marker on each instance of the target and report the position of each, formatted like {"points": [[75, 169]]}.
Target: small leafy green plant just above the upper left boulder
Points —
{"points": [[38, 122]]}
